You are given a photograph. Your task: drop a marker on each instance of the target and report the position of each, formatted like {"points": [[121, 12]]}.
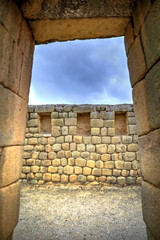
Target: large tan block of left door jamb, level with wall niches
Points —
{"points": [[11, 107]]}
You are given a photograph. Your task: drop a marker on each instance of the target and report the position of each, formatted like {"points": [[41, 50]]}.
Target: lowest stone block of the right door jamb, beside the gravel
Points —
{"points": [[151, 207]]}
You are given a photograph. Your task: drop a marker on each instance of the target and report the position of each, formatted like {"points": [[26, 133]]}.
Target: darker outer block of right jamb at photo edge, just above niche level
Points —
{"points": [[152, 93]]}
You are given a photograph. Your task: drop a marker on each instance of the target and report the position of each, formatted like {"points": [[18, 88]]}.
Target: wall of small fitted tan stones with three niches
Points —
{"points": [[81, 143]]}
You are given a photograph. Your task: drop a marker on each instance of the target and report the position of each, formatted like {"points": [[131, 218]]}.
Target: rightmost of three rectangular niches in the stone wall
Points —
{"points": [[120, 123]]}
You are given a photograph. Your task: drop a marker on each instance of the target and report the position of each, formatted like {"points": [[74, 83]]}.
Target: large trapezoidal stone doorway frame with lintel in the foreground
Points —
{"points": [[24, 23]]}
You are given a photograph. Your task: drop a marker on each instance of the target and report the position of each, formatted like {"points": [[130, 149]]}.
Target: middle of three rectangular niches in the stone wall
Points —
{"points": [[83, 124]]}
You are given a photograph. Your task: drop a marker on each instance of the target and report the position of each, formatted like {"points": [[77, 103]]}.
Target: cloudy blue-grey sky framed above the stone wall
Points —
{"points": [[81, 71]]}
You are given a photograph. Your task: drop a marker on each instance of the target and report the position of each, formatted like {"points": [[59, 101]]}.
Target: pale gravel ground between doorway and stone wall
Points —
{"points": [[80, 213]]}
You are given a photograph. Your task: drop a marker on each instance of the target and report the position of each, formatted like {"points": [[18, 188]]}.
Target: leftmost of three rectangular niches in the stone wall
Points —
{"points": [[45, 123]]}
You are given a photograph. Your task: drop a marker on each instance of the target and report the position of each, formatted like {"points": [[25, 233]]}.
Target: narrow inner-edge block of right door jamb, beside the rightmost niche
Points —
{"points": [[141, 108]]}
